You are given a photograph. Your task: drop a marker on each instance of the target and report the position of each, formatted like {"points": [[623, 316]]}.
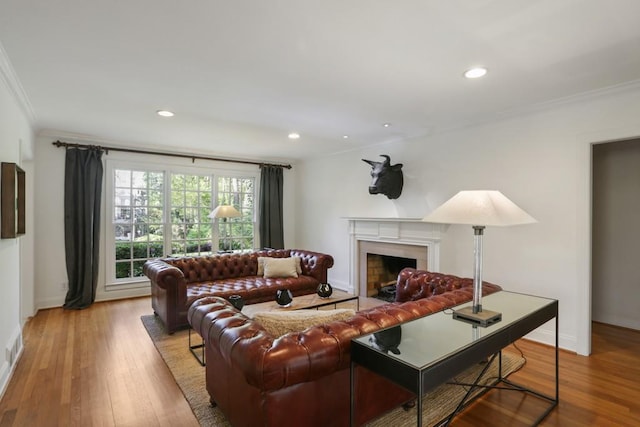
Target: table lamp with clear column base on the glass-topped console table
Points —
{"points": [[479, 209]]}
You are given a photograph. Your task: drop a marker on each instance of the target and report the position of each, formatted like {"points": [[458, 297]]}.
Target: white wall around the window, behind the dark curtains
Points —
{"points": [[51, 273]]}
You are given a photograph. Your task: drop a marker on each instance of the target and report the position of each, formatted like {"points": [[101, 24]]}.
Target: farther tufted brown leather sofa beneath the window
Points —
{"points": [[177, 282]]}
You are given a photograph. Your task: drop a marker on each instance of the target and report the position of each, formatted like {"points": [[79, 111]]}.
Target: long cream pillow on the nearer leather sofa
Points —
{"points": [[279, 323]]}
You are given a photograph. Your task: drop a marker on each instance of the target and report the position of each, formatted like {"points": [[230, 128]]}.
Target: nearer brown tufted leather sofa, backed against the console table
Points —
{"points": [[303, 378]]}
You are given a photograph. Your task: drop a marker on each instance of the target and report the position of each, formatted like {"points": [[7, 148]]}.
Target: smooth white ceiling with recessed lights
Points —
{"points": [[241, 75]]}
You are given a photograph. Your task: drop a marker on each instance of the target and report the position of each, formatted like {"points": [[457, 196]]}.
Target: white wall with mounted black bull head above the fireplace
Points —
{"points": [[540, 159]]}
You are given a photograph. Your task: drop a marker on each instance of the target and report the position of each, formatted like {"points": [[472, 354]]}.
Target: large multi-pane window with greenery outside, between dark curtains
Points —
{"points": [[164, 212]]}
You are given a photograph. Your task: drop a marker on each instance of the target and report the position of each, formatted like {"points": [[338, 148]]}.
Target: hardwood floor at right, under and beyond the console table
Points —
{"points": [[600, 390]]}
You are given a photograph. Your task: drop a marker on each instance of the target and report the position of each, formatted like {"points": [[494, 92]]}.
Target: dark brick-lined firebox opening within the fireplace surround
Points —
{"points": [[382, 274]]}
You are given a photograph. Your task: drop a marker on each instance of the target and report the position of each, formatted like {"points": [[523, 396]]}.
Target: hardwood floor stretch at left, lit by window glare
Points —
{"points": [[93, 367]]}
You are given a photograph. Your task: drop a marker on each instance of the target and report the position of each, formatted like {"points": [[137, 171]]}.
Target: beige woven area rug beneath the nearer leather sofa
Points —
{"points": [[190, 377]]}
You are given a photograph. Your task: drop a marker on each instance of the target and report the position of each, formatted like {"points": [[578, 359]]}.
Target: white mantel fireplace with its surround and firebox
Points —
{"points": [[391, 244]]}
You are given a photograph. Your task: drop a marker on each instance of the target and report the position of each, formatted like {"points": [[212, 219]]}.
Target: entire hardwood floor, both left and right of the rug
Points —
{"points": [[98, 367]]}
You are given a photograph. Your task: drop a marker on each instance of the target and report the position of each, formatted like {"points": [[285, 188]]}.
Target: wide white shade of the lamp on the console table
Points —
{"points": [[481, 208]]}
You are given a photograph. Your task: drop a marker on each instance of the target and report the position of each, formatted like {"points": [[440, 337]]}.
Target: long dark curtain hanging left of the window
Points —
{"points": [[82, 193]]}
